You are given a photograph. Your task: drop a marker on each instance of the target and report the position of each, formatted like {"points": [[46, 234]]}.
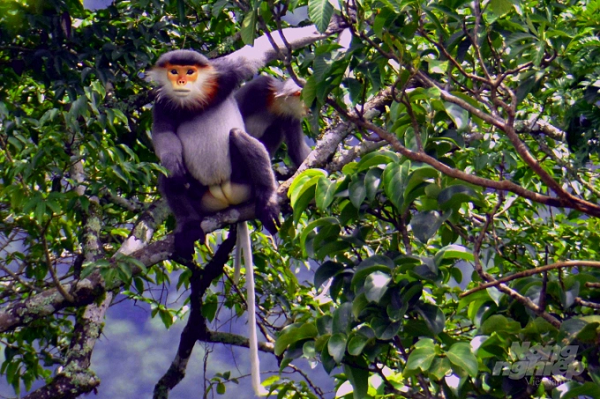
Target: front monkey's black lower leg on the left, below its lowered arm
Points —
{"points": [[188, 229]]}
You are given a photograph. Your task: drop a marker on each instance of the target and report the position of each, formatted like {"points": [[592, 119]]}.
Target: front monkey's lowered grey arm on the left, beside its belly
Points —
{"points": [[166, 143]]}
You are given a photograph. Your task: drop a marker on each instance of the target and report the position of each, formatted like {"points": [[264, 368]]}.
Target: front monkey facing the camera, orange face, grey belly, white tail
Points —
{"points": [[213, 164]]}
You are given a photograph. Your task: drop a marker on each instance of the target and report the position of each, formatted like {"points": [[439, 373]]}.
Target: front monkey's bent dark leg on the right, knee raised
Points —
{"points": [[250, 157]]}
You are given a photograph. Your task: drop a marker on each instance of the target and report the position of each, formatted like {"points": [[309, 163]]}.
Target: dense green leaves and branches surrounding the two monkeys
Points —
{"points": [[449, 210]]}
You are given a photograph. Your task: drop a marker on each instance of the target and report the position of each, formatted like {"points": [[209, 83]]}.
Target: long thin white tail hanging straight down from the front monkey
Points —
{"points": [[245, 245]]}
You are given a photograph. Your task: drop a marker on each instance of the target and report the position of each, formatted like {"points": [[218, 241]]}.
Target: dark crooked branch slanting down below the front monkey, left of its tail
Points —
{"points": [[196, 328]]}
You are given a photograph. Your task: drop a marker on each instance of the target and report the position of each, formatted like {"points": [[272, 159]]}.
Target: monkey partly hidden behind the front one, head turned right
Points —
{"points": [[273, 111]]}
